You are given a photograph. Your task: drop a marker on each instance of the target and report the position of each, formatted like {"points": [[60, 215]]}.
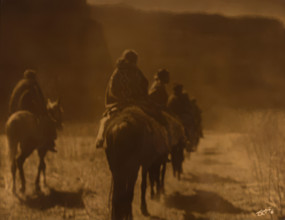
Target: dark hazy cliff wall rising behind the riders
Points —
{"points": [[224, 62]]}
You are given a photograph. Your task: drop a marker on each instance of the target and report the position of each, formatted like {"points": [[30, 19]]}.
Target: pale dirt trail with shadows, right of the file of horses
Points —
{"points": [[214, 184]]}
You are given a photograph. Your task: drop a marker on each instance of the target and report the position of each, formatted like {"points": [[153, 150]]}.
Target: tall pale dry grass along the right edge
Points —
{"points": [[266, 151]]}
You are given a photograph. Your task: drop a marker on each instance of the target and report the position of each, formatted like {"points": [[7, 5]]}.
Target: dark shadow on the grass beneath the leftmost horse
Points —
{"points": [[55, 198]]}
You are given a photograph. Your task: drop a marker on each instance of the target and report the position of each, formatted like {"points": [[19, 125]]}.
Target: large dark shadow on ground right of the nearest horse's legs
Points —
{"points": [[200, 202]]}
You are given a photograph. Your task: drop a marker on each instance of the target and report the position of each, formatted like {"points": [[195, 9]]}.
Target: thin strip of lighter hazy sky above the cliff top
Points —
{"points": [[269, 8]]}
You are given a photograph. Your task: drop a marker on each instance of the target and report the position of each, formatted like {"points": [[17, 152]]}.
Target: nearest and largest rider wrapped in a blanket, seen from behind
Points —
{"points": [[128, 88]]}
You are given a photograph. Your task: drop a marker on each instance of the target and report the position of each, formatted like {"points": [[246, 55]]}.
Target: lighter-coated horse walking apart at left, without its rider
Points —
{"points": [[24, 129]]}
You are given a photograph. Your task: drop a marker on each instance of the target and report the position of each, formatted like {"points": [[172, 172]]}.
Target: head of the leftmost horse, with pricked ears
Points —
{"points": [[55, 112]]}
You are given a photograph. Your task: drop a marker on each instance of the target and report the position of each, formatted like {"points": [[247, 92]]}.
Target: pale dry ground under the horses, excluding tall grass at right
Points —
{"points": [[217, 182]]}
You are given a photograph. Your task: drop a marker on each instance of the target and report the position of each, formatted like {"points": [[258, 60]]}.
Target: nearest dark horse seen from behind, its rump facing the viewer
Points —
{"points": [[133, 140]]}
